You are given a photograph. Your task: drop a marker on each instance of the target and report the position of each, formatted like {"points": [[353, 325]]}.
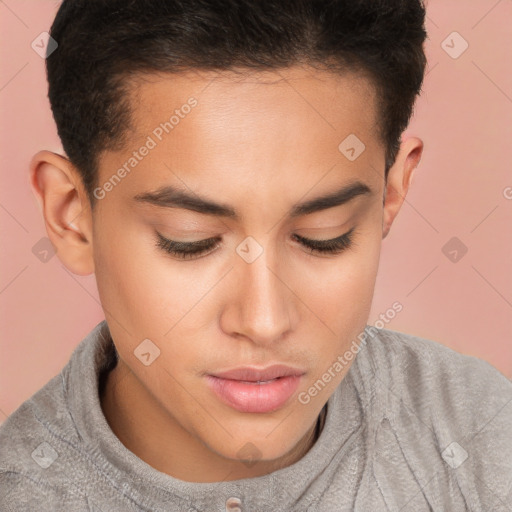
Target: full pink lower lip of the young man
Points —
{"points": [[252, 397]]}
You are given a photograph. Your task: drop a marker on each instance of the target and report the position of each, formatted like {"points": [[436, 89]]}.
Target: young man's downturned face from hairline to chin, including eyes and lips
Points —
{"points": [[238, 263]]}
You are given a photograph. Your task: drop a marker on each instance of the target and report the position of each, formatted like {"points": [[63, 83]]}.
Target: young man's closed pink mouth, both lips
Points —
{"points": [[254, 390]]}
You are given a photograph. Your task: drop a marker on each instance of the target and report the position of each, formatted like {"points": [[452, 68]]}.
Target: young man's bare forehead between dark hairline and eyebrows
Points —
{"points": [[212, 130]]}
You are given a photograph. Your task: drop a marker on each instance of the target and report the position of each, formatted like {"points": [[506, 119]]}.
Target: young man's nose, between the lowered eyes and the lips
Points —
{"points": [[261, 305]]}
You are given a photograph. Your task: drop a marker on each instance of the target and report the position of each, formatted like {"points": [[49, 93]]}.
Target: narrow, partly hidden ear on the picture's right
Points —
{"points": [[398, 180]]}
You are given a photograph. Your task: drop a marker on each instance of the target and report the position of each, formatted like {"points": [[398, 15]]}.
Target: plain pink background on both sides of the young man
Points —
{"points": [[459, 190]]}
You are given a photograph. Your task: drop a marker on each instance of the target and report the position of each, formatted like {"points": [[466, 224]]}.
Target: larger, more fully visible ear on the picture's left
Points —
{"points": [[65, 206]]}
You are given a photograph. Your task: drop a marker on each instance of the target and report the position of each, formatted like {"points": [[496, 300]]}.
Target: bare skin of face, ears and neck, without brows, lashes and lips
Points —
{"points": [[260, 144]]}
